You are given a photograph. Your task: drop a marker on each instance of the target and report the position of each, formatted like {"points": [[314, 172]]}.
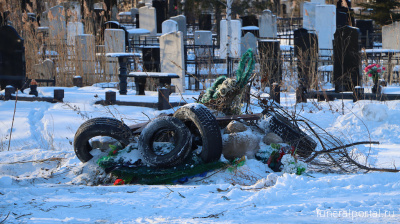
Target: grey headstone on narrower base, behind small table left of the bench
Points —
{"points": [[114, 42]]}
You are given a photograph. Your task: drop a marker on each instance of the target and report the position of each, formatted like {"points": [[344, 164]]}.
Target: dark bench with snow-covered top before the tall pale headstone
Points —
{"points": [[140, 79]]}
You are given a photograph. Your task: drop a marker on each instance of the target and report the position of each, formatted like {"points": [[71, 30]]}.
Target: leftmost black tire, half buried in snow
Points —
{"points": [[101, 126]]}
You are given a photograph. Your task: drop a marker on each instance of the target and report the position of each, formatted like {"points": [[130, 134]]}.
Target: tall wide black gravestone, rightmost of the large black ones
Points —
{"points": [[346, 60]]}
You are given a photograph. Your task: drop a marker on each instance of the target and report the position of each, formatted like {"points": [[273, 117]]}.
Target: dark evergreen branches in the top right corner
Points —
{"points": [[382, 11]]}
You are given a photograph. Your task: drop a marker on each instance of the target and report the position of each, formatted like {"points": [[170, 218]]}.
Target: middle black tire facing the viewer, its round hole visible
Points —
{"points": [[156, 130]]}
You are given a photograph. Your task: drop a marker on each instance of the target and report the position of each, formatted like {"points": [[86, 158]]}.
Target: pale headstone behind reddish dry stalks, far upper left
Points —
{"points": [[57, 24]]}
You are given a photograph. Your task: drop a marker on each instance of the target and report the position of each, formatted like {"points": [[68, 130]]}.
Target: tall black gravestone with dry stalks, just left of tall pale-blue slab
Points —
{"points": [[306, 52]]}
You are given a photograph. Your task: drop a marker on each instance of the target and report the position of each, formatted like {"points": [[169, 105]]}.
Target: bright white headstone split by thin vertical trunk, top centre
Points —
{"points": [[235, 40]]}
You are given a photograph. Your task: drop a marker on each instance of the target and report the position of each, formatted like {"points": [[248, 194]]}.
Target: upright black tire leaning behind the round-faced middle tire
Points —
{"points": [[202, 122]]}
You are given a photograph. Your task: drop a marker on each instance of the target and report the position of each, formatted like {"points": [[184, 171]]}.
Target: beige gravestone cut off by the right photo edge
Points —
{"points": [[391, 36]]}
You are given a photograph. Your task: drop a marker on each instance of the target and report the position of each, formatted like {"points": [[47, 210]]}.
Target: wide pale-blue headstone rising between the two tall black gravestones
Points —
{"points": [[325, 27]]}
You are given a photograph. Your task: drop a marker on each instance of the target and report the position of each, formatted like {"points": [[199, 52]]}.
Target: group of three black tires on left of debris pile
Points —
{"points": [[192, 124]]}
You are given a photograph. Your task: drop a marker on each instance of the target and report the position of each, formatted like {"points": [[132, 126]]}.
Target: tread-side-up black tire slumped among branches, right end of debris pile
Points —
{"points": [[291, 134]]}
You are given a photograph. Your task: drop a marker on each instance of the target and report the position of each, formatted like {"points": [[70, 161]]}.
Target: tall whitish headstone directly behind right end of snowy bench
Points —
{"points": [[172, 58]]}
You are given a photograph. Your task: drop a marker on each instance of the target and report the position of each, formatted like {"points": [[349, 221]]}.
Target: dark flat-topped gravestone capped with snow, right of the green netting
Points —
{"points": [[270, 63]]}
